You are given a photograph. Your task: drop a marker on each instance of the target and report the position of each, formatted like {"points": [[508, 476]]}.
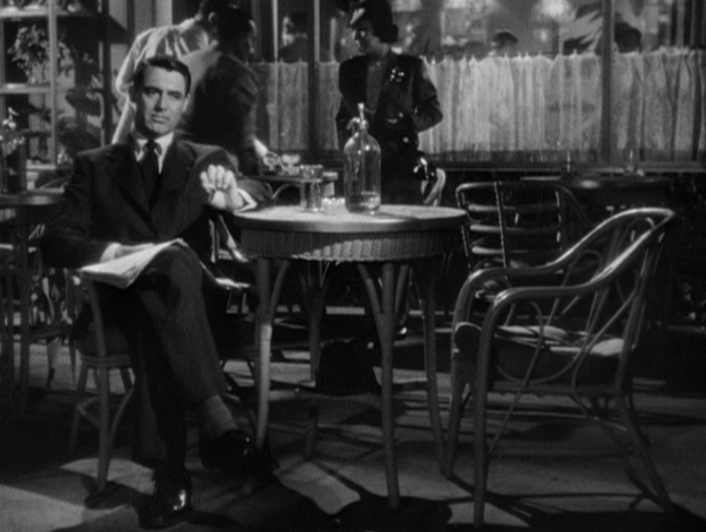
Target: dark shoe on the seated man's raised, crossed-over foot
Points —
{"points": [[233, 452]]}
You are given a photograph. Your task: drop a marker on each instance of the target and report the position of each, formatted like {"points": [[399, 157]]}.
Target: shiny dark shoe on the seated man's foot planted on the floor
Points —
{"points": [[170, 503]]}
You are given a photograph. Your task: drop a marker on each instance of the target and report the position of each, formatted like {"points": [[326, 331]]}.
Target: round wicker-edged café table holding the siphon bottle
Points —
{"points": [[397, 238]]}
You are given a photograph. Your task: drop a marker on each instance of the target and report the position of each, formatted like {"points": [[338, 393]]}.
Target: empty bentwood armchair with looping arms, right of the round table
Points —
{"points": [[574, 338]]}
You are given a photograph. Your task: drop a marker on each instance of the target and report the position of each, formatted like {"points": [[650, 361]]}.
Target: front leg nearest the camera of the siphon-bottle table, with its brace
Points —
{"points": [[383, 310]]}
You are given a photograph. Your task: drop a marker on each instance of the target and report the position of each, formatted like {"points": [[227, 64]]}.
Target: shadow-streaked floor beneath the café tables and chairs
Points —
{"points": [[343, 486]]}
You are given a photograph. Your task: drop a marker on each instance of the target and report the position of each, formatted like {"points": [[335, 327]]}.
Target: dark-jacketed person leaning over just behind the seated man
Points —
{"points": [[223, 104]]}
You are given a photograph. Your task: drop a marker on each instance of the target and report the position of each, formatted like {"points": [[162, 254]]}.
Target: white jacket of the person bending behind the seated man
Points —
{"points": [[194, 33]]}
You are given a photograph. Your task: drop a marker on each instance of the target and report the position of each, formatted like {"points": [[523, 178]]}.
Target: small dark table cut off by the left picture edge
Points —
{"points": [[29, 207]]}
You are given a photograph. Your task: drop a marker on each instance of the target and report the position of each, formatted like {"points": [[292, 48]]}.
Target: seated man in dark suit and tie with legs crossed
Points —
{"points": [[153, 188]]}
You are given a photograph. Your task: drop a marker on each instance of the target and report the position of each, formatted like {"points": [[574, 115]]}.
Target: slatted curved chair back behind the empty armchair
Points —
{"points": [[517, 222]]}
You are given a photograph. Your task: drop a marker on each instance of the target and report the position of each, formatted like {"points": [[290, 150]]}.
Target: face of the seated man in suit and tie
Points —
{"points": [[160, 102]]}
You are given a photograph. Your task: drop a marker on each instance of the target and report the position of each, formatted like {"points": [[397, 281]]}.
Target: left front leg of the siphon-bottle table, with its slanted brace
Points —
{"points": [[265, 314]]}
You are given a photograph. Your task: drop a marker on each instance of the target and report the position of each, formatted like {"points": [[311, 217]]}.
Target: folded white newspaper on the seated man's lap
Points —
{"points": [[123, 271]]}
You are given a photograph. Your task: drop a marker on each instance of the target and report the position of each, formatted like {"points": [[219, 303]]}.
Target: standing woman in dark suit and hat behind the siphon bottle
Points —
{"points": [[400, 99]]}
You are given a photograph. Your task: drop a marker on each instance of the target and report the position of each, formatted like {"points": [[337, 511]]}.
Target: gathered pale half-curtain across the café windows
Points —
{"points": [[539, 106]]}
